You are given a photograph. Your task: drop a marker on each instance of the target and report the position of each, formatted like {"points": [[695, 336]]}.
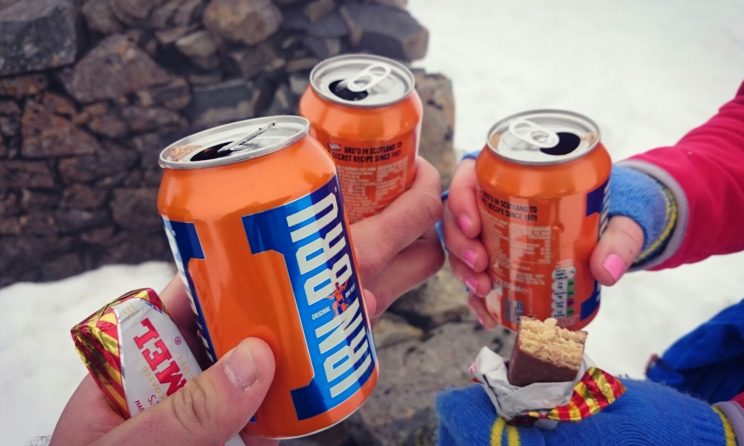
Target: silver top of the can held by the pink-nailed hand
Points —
{"points": [[543, 137]]}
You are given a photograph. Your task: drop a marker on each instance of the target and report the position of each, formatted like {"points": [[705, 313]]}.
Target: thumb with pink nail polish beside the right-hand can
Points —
{"points": [[617, 250]]}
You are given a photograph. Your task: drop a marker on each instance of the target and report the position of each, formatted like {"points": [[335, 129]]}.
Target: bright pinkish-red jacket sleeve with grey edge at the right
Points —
{"points": [[705, 173]]}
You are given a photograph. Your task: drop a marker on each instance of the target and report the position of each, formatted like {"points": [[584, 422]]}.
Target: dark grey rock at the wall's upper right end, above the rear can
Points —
{"points": [[386, 31]]}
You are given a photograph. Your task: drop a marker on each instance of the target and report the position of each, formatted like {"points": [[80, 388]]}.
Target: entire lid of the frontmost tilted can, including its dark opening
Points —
{"points": [[234, 142]]}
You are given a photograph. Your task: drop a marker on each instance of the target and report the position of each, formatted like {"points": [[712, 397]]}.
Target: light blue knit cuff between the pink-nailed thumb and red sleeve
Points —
{"points": [[638, 196]]}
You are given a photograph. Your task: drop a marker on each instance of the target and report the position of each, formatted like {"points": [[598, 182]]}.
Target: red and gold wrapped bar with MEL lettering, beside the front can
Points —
{"points": [[134, 352]]}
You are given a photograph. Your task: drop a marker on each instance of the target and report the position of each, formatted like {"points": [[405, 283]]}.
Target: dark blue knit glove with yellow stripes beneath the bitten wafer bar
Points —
{"points": [[647, 414]]}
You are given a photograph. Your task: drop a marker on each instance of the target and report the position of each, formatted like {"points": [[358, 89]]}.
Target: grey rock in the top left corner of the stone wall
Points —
{"points": [[36, 35]]}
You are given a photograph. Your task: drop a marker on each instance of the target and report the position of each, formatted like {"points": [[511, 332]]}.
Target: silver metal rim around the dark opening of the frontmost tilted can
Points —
{"points": [[211, 137]]}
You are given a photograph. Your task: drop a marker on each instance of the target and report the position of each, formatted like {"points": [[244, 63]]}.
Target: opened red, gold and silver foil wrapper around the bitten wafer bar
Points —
{"points": [[545, 403]]}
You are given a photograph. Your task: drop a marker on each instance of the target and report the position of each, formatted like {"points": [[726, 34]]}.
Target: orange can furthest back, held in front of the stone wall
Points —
{"points": [[365, 111]]}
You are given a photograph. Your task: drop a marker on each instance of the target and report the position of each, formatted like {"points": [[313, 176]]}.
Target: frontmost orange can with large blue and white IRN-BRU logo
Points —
{"points": [[255, 220]]}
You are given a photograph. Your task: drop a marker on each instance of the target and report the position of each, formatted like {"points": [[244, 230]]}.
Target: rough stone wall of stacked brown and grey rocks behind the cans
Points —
{"points": [[92, 90]]}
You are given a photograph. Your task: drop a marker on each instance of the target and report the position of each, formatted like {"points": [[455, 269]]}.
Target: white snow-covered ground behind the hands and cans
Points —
{"points": [[645, 71]]}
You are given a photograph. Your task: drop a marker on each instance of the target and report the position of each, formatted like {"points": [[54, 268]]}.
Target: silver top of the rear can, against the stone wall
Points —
{"points": [[362, 80]]}
